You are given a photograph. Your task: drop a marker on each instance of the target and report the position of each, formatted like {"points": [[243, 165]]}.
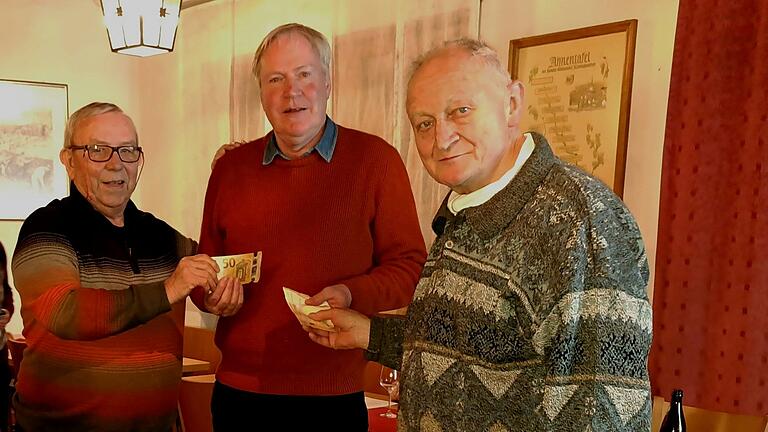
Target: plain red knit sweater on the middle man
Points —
{"points": [[351, 221]]}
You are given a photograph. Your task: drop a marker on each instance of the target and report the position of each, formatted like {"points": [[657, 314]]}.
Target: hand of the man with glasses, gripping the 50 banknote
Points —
{"points": [[192, 271]]}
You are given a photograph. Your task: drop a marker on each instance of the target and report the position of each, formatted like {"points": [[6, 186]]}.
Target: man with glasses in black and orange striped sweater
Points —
{"points": [[102, 286]]}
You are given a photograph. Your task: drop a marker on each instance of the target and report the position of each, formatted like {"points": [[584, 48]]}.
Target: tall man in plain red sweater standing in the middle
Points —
{"points": [[331, 210]]}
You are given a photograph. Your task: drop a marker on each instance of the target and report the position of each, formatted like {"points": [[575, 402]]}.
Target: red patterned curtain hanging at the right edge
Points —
{"points": [[711, 288]]}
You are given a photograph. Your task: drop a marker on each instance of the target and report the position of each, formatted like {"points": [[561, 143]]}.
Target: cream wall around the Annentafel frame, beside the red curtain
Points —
{"points": [[503, 20]]}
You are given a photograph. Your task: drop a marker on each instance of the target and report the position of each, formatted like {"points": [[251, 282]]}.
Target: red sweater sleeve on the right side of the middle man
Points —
{"points": [[398, 251]]}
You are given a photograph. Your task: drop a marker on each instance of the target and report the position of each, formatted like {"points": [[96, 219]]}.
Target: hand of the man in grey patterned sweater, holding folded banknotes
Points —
{"points": [[353, 329]]}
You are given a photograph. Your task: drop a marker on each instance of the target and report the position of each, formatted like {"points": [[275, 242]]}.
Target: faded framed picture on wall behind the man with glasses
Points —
{"points": [[33, 116]]}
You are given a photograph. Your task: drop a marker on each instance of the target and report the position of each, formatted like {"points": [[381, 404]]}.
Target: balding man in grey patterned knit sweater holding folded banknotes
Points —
{"points": [[531, 313]]}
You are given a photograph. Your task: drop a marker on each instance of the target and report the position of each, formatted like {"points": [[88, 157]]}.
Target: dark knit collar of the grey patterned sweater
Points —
{"points": [[501, 209]]}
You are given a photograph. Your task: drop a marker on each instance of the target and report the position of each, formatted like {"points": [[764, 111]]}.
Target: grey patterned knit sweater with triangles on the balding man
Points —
{"points": [[531, 313]]}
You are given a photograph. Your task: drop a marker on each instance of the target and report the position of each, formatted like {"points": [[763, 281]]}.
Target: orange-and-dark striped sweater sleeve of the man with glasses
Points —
{"points": [[45, 272]]}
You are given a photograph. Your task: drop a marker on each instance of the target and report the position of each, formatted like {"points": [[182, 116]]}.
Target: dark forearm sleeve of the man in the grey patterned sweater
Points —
{"points": [[385, 343]]}
